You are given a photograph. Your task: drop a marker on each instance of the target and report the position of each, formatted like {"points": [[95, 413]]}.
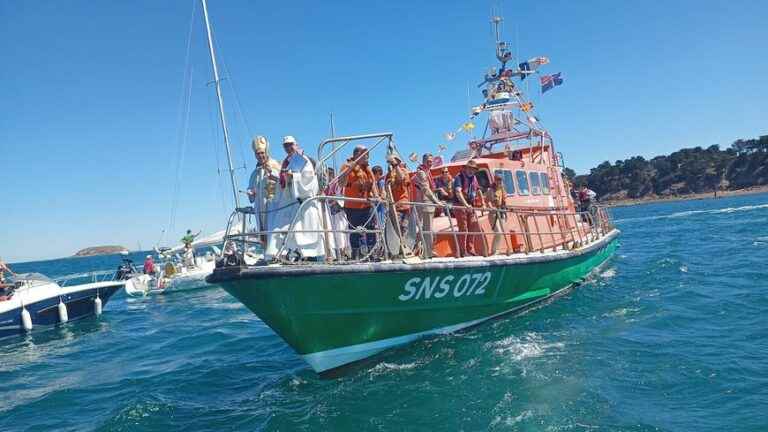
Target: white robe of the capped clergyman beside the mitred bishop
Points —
{"points": [[306, 235]]}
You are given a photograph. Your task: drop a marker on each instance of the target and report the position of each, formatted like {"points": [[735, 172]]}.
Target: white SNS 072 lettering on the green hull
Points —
{"points": [[438, 287]]}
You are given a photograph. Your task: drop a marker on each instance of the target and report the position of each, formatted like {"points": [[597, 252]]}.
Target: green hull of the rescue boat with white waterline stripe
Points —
{"points": [[333, 315]]}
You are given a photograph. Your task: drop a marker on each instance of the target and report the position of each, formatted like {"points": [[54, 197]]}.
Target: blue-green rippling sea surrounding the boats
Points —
{"points": [[670, 335]]}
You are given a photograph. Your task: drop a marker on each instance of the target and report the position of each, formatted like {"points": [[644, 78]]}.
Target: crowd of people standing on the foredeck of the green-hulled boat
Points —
{"points": [[278, 189]]}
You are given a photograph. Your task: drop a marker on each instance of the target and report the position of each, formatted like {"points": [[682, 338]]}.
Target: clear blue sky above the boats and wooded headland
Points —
{"points": [[89, 94]]}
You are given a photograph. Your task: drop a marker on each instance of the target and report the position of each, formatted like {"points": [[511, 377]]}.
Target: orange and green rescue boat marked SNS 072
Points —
{"points": [[336, 311]]}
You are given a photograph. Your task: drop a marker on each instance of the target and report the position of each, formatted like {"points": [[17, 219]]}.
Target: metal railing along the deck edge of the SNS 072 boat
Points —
{"points": [[502, 231]]}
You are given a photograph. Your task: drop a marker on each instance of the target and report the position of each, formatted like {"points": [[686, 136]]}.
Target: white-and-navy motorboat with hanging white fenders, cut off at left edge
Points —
{"points": [[36, 300]]}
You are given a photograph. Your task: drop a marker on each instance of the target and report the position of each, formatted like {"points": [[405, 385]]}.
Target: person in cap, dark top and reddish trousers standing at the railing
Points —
{"points": [[466, 190]]}
